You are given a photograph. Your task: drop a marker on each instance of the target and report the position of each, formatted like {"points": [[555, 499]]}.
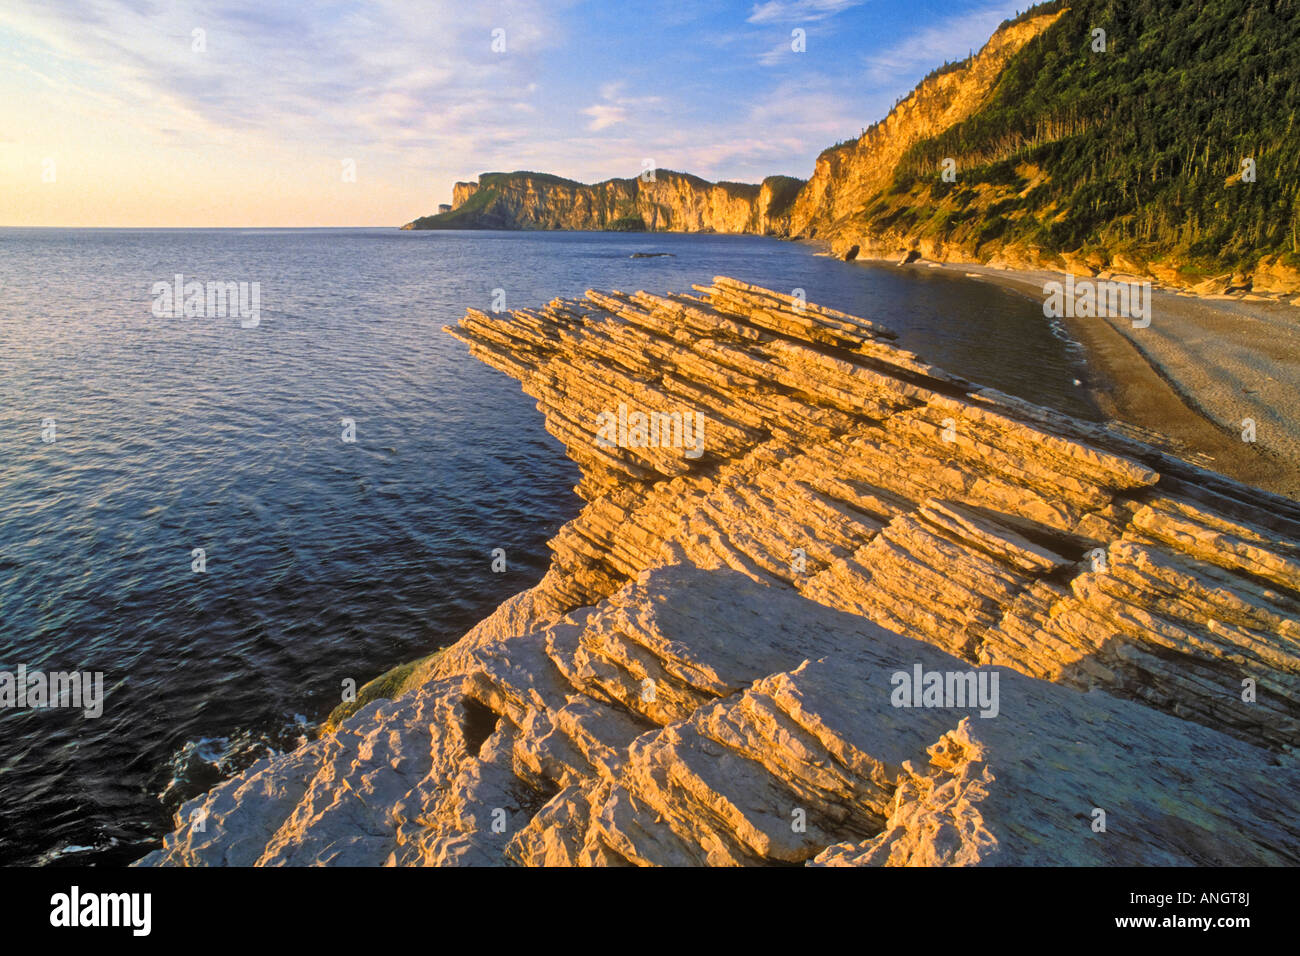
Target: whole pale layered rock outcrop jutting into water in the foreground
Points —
{"points": [[710, 671]]}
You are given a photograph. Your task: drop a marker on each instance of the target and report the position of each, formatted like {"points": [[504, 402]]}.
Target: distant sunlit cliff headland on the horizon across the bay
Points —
{"points": [[671, 202]]}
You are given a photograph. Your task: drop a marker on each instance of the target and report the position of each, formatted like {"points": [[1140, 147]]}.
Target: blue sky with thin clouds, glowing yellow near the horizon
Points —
{"points": [[267, 114]]}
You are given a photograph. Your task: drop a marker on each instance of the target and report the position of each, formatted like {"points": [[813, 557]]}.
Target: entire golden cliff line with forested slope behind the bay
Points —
{"points": [[1159, 149]]}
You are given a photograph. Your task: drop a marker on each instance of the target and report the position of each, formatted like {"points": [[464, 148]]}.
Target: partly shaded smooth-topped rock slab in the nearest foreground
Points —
{"points": [[769, 736]]}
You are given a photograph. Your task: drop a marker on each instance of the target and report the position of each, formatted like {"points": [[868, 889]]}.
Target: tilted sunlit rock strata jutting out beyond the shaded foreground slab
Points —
{"points": [[1002, 533]]}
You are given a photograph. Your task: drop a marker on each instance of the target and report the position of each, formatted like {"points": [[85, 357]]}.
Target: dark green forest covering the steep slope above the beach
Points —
{"points": [[1139, 148]]}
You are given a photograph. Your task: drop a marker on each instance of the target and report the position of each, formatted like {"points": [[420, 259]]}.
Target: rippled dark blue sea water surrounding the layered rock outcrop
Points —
{"points": [[326, 560]]}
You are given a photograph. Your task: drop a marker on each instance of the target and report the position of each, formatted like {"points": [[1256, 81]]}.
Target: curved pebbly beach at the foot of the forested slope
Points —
{"points": [[1201, 369]]}
